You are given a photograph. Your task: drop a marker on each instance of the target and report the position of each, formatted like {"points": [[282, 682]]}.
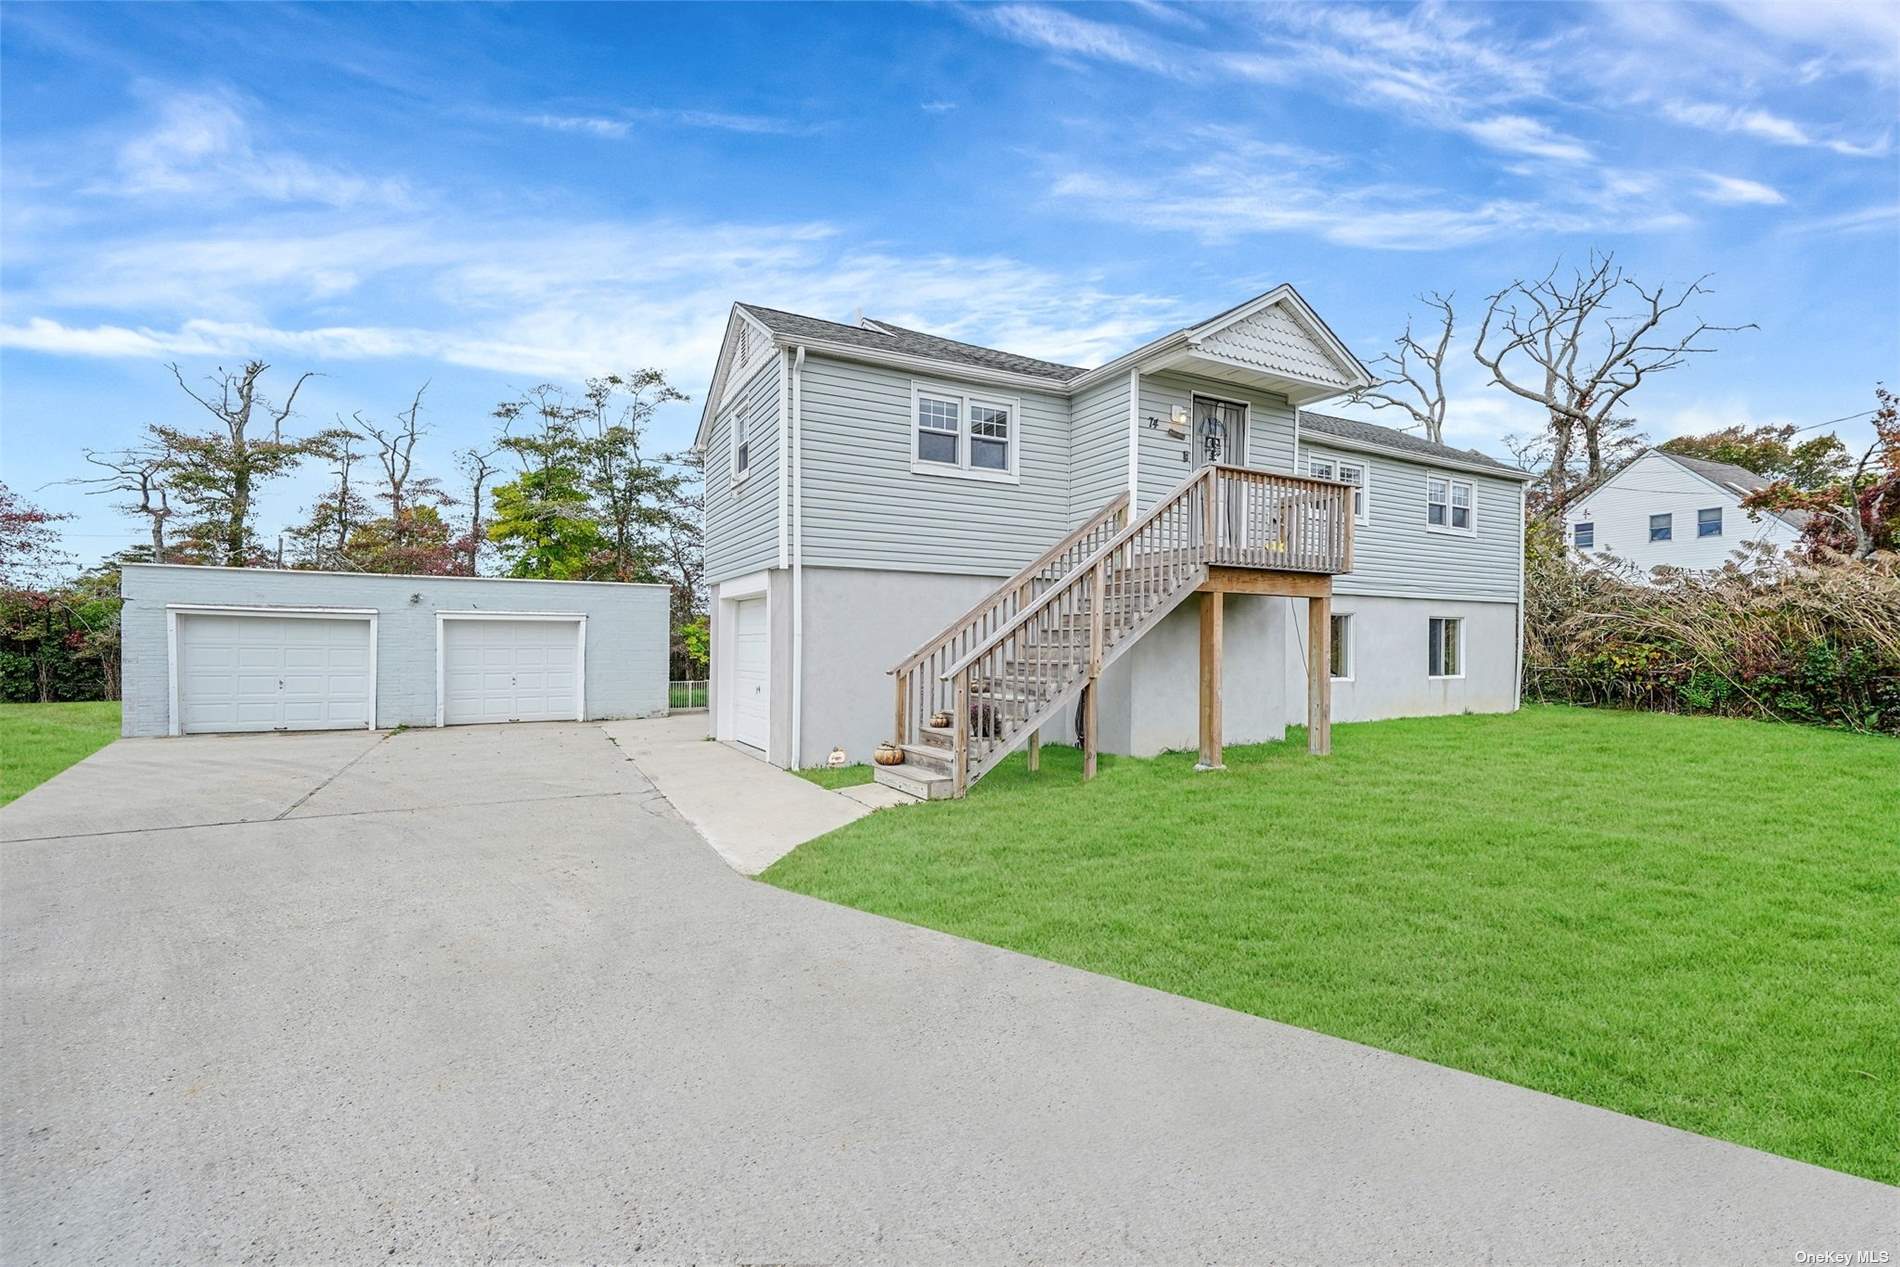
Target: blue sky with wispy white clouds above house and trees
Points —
{"points": [[491, 197]]}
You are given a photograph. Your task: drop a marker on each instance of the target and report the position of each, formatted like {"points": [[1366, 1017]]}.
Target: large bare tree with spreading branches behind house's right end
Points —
{"points": [[1570, 349]]}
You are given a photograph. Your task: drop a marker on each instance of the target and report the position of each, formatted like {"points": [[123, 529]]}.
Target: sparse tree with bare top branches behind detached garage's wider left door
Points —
{"points": [[218, 474]]}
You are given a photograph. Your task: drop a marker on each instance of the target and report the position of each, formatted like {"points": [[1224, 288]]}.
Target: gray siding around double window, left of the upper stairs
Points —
{"points": [[865, 508]]}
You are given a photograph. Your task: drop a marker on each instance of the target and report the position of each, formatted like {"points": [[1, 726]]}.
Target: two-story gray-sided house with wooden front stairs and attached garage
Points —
{"points": [[867, 483]]}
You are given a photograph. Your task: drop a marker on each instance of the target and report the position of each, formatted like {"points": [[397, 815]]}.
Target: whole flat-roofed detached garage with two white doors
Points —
{"points": [[216, 651]]}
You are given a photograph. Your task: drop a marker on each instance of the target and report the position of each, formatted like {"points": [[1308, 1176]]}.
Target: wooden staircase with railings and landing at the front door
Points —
{"points": [[1044, 637]]}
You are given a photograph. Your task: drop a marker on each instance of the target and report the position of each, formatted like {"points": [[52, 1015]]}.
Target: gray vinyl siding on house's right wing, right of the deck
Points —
{"points": [[1396, 556]]}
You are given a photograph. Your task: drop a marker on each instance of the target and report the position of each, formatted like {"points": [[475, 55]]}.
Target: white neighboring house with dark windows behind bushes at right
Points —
{"points": [[1671, 512]]}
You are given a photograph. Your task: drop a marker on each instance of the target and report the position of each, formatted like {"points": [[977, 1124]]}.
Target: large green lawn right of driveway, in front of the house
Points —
{"points": [[1690, 920]]}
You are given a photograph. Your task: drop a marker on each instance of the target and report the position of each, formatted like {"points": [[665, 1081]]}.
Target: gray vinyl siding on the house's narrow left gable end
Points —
{"points": [[742, 525]]}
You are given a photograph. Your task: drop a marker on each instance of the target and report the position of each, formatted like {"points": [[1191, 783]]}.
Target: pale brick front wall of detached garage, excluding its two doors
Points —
{"points": [[626, 671]]}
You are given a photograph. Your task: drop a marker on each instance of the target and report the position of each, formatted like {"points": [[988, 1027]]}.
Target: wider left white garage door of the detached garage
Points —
{"points": [[273, 673]]}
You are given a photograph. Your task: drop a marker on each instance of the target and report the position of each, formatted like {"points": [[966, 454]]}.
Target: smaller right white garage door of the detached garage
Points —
{"points": [[512, 671]]}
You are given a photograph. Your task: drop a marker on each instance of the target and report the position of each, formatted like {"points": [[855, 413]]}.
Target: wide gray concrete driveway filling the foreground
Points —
{"points": [[480, 994]]}
